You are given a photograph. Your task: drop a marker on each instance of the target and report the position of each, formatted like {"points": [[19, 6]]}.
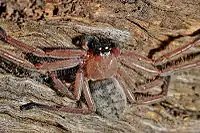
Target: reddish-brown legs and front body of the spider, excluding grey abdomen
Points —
{"points": [[96, 60]]}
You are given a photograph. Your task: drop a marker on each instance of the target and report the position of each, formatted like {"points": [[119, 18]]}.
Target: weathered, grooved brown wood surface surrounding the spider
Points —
{"points": [[141, 25]]}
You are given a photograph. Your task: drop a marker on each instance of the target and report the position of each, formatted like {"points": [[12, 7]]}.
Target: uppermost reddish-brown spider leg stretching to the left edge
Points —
{"points": [[55, 53]]}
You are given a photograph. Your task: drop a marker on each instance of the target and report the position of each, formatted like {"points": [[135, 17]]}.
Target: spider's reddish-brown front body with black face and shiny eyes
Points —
{"points": [[101, 60]]}
